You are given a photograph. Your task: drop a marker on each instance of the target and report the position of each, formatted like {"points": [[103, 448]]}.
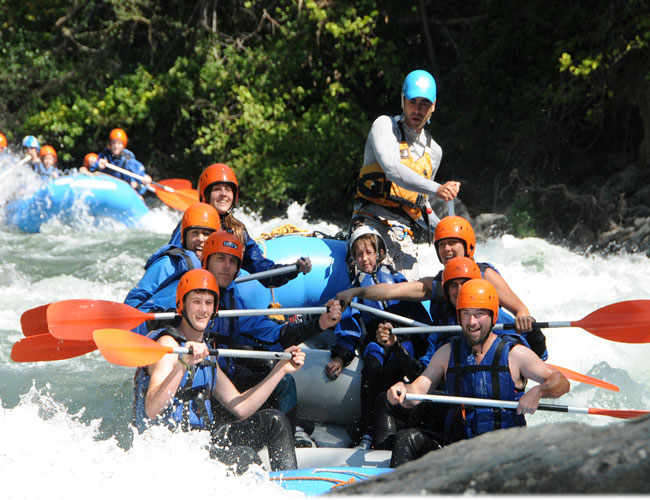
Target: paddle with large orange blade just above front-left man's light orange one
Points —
{"points": [[76, 319]]}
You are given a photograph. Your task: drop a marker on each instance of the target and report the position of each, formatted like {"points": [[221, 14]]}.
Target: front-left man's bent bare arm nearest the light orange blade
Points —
{"points": [[166, 375]]}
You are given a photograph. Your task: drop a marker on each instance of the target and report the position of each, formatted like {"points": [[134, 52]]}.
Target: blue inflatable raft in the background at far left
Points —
{"points": [[71, 197]]}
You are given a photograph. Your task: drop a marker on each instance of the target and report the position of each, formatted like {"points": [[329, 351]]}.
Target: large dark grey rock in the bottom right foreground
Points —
{"points": [[552, 458]]}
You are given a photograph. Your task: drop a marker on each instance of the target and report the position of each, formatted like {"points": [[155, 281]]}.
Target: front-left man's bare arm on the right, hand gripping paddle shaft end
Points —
{"points": [[244, 404]]}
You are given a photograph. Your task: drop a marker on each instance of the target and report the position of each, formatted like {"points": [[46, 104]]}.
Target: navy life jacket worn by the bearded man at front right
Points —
{"points": [[490, 379]]}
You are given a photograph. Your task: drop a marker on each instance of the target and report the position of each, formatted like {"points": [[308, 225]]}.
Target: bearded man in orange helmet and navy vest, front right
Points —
{"points": [[478, 364]]}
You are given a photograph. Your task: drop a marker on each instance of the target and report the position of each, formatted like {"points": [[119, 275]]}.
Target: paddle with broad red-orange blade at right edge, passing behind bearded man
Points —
{"points": [[627, 321]]}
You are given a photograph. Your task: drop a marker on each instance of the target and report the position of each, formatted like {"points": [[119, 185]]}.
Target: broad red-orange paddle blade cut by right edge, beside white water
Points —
{"points": [[627, 321]]}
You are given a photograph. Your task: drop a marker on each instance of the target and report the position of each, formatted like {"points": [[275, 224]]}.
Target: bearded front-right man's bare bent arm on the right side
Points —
{"points": [[525, 364]]}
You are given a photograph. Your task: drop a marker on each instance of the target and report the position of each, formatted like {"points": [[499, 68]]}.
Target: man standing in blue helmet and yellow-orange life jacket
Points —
{"points": [[396, 179]]}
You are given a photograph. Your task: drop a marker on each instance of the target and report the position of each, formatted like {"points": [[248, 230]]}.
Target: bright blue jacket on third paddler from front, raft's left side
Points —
{"points": [[156, 290]]}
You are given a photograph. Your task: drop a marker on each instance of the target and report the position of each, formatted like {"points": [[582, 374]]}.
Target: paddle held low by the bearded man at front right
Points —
{"points": [[497, 403]]}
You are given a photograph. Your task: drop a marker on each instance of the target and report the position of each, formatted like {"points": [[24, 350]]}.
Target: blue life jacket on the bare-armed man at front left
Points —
{"points": [[192, 407]]}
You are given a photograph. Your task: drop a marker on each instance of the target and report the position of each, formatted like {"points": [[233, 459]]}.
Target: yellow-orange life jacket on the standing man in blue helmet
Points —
{"points": [[373, 186]]}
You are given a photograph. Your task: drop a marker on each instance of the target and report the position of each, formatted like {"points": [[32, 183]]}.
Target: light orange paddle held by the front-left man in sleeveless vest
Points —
{"points": [[125, 348]]}
